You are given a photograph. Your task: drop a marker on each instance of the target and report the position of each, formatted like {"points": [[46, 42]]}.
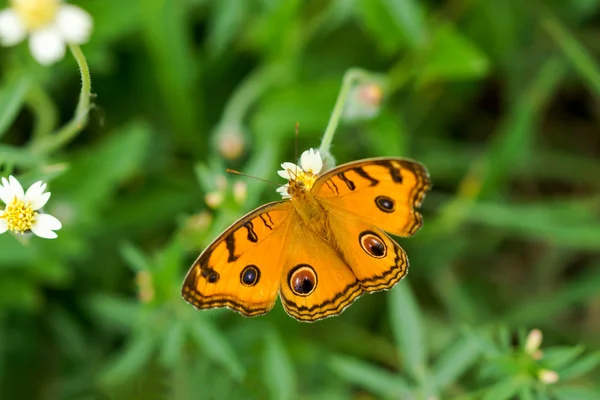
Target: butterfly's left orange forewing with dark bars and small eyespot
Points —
{"points": [[241, 268]]}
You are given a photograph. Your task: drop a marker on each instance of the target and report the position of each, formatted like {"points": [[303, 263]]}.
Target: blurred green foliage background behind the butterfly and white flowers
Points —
{"points": [[499, 99]]}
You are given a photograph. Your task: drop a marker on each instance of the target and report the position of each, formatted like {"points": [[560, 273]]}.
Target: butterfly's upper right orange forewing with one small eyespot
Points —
{"points": [[380, 191]]}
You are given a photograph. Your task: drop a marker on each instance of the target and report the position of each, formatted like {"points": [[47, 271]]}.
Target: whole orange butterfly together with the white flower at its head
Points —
{"points": [[320, 247]]}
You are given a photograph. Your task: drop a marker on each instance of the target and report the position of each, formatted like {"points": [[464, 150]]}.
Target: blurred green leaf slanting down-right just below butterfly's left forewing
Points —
{"points": [[211, 341]]}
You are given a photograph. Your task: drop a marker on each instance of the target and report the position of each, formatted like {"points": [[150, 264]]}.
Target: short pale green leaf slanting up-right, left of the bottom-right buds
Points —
{"points": [[455, 360]]}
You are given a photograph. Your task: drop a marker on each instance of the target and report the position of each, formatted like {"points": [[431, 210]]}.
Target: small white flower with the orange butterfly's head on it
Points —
{"points": [[301, 177]]}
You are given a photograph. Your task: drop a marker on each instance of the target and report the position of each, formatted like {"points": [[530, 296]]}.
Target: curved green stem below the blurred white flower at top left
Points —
{"points": [[68, 132]]}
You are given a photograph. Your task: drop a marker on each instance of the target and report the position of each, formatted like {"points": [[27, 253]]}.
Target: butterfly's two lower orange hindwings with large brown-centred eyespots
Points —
{"points": [[325, 272]]}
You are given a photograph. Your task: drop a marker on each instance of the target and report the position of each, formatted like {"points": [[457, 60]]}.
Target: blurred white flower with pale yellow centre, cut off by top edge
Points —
{"points": [[50, 24]]}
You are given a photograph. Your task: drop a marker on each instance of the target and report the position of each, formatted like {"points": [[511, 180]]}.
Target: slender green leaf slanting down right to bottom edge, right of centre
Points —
{"points": [[377, 380]]}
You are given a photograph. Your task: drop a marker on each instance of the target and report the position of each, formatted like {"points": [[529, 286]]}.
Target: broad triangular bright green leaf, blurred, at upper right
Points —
{"points": [[452, 57]]}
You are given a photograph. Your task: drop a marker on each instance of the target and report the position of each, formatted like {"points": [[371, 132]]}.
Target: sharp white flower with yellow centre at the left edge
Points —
{"points": [[22, 212]]}
